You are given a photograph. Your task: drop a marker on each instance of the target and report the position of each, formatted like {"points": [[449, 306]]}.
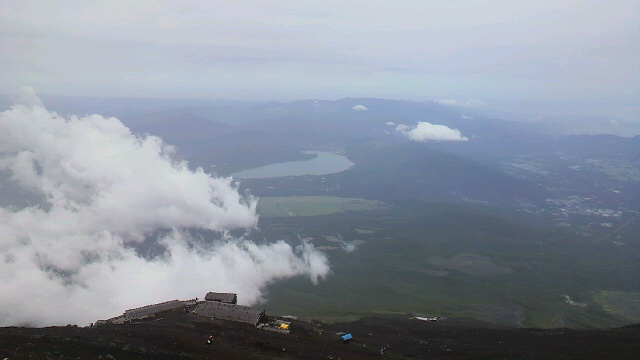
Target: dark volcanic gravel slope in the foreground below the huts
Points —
{"points": [[176, 335]]}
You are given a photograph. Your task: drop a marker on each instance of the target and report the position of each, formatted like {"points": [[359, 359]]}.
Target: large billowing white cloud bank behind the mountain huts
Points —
{"points": [[70, 259]]}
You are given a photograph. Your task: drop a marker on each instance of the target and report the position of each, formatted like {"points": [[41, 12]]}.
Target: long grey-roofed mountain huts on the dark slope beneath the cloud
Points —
{"points": [[215, 305]]}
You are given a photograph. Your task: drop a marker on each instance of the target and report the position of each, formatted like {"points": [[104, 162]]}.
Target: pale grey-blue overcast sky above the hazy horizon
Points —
{"points": [[576, 54]]}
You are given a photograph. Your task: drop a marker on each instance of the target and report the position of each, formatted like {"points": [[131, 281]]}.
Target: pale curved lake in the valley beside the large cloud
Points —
{"points": [[324, 163]]}
